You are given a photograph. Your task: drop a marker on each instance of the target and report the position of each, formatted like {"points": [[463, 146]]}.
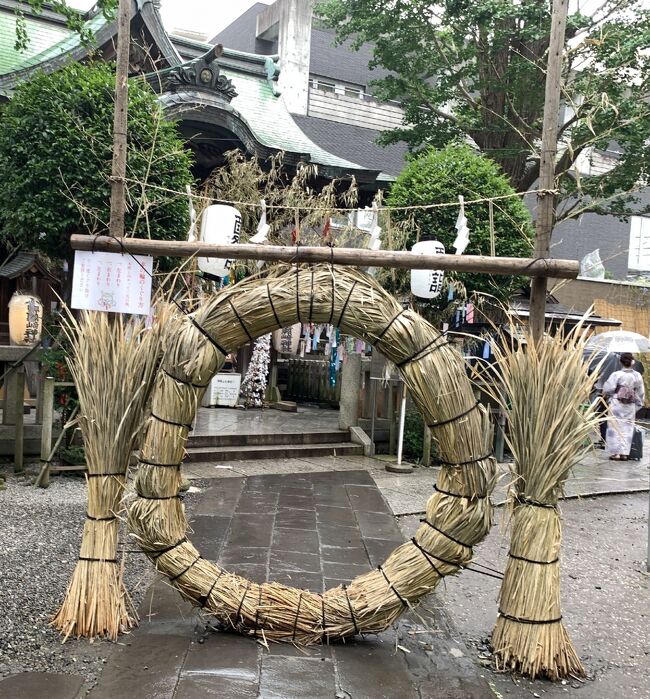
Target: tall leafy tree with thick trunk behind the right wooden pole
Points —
{"points": [[463, 68]]}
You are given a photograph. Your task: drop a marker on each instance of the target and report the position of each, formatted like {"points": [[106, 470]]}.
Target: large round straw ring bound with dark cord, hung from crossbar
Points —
{"points": [[458, 514]]}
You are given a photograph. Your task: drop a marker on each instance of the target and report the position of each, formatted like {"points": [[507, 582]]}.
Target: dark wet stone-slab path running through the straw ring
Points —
{"points": [[314, 531]]}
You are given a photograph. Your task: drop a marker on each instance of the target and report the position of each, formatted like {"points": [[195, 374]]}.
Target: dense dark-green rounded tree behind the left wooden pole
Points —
{"points": [[55, 155]]}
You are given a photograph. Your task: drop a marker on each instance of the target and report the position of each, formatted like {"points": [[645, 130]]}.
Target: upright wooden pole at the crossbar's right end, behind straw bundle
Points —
{"points": [[546, 199]]}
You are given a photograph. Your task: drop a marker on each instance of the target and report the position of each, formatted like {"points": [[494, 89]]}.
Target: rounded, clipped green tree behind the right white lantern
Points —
{"points": [[438, 177]]}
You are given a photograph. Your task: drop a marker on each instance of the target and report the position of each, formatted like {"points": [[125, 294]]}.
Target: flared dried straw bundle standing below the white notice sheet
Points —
{"points": [[113, 364]]}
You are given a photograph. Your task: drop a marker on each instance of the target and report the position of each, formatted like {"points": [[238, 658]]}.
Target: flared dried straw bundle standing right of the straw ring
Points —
{"points": [[545, 394]]}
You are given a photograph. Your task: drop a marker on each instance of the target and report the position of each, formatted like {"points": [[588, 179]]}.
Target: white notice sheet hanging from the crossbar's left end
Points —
{"points": [[109, 281]]}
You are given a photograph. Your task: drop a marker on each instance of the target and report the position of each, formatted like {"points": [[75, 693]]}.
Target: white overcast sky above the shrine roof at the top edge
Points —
{"points": [[205, 16]]}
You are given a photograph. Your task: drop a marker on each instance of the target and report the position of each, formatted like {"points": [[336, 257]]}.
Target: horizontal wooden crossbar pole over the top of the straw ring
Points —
{"points": [[517, 266]]}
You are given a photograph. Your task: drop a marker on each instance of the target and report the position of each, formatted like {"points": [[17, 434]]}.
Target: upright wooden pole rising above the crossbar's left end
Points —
{"points": [[118, 174]]}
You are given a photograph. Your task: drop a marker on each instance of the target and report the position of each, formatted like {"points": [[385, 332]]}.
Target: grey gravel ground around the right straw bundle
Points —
{"points": [[605, 599]]}
